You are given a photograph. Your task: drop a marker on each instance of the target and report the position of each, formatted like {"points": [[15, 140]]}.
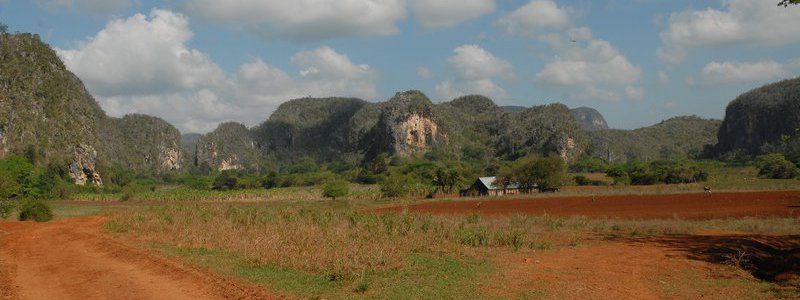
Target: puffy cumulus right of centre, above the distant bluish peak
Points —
{"points": [[594, 71]]}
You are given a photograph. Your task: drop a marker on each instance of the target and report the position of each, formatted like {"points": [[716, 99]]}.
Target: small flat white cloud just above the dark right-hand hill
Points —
{"points": [[716, 73]]}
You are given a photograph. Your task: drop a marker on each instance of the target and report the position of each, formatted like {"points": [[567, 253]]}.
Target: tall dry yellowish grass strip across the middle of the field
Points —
{"points": [[344, 241]]}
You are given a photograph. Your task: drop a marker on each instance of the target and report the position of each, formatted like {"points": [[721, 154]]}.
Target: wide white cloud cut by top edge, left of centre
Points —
{"points": [[303, 20]]}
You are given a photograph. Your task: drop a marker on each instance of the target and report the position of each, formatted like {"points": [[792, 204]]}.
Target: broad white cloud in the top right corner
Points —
{"points": [[740, 22]]}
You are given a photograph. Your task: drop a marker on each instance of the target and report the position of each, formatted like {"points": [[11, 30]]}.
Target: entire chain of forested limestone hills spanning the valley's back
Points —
{"points": [[46, 112]]}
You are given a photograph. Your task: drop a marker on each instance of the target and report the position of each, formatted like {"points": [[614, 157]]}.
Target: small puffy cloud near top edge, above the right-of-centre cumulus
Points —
{"points": [[534, 17]]}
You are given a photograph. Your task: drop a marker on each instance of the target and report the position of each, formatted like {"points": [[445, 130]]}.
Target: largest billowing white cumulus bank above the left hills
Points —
{"points": [[142, 64]]}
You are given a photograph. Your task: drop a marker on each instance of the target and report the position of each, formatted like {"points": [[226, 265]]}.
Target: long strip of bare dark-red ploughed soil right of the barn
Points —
{"points": [[685, 206]]}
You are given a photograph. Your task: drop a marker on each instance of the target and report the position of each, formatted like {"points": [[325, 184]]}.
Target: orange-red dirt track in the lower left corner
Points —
{"points": [[75, 259]]}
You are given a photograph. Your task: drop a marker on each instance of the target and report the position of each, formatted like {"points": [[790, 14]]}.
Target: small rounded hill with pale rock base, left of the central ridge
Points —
{"points": [[229, 147]]}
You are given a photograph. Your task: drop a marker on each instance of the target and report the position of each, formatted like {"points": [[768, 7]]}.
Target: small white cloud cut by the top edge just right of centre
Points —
{"points": [[449, 13]]}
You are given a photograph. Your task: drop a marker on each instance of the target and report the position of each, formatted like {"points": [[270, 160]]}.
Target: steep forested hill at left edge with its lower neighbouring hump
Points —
{"points": [[47, 115]]}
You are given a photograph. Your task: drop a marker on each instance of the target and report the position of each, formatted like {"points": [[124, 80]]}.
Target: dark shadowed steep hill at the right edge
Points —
{"points": [[756, 121]]}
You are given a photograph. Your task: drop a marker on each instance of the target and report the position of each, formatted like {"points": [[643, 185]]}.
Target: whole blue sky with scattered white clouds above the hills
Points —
{"points": [[198, 63]]}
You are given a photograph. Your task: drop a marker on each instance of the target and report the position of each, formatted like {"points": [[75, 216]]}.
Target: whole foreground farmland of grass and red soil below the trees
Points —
{"points": [[729, 245]]}
